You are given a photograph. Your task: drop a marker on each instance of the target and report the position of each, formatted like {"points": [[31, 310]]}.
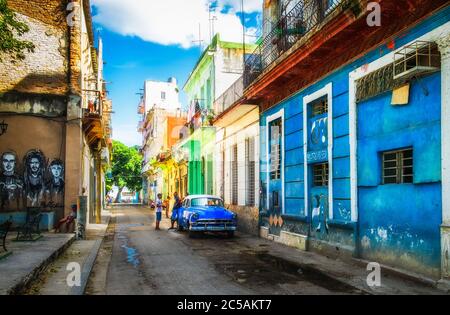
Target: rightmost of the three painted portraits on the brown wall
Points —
{"points": [[54, 187]]}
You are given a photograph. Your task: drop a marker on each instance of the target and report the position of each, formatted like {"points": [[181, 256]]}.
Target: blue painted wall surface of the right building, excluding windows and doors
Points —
{"points": [[399, 224]]}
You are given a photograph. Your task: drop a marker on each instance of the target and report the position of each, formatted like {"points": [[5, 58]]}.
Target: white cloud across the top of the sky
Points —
{"points": [[172, 22]]}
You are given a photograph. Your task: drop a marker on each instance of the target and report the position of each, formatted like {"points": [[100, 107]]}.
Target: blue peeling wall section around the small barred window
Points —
{"points": [[400, 223]]}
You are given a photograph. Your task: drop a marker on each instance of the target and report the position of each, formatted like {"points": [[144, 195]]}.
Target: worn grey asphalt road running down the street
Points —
{"points": [[135, 259]]}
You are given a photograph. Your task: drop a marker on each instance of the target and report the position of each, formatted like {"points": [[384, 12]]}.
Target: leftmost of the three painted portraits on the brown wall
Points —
{"points": [[11, 184]]}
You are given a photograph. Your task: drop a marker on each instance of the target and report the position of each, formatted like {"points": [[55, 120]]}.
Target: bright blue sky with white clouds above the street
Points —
{"points": [[155, 40]]}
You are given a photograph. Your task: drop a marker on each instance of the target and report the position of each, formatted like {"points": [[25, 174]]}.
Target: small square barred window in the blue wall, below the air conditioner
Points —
{"points": [[398, 167]]}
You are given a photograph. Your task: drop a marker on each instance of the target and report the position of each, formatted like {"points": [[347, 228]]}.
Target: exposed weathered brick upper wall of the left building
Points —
{"points": [[45, 71]]}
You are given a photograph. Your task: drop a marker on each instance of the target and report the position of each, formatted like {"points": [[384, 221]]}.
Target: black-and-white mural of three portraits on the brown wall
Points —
{"points": [[40, 186]]}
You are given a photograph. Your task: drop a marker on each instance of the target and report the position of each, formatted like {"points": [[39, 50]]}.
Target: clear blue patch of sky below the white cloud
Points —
{"points": [[129, 62]]}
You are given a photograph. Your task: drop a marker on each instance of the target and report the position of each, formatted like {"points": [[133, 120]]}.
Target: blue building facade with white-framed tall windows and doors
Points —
{"points": [[353, 174]]}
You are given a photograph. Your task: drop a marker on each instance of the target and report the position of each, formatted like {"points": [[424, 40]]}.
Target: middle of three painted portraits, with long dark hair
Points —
{"points": [[34, 165]]}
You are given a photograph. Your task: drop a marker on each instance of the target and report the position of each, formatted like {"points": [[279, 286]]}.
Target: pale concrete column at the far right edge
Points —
{"points": [[444, 48]]}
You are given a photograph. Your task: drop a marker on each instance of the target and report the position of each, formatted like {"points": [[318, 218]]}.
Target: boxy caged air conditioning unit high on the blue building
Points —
{"points": [[416, 59]]}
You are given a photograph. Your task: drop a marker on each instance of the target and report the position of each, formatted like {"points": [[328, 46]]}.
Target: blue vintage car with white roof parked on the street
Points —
{"points": [[203, 213]]}
